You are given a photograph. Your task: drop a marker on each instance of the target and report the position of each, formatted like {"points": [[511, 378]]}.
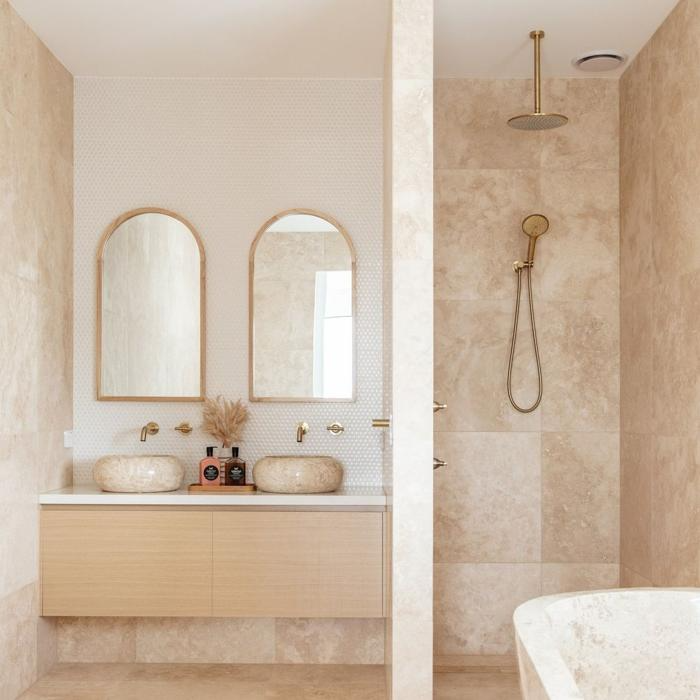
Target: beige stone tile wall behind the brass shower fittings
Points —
{"points": [[529, 504]]}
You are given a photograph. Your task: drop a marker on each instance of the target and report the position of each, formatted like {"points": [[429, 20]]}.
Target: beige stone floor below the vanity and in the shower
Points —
{"points": [[251, 682]]}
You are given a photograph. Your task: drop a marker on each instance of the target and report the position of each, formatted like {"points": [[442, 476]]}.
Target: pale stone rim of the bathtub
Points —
{"points": [[533, 634]]}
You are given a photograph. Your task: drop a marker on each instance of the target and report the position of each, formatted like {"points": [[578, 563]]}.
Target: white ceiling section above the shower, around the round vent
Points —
{"points": [[490, 38]]}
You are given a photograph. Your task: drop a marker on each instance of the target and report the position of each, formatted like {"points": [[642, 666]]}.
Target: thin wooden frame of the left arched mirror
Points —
{"points": [[202, 307]]}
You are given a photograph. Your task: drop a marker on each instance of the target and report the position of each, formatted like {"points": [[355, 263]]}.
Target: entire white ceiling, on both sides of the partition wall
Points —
{"points": [[328, 38]]}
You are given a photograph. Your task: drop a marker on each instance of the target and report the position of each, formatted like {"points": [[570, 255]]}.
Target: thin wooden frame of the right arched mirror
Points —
{"points": [[251, 310]]}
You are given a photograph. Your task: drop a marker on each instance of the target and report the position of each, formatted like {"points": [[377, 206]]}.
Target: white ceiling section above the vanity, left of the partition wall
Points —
{"points": [[210, 38]]}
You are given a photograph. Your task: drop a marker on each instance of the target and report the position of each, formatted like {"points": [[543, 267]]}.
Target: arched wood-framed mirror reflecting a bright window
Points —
{"points": [[302, 310]]}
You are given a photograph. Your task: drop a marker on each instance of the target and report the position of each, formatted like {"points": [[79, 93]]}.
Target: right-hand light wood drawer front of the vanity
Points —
{"points": [[298, 564]]}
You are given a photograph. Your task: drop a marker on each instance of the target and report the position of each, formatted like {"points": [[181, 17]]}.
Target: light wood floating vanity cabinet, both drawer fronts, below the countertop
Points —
{"points": [[191, 562]]}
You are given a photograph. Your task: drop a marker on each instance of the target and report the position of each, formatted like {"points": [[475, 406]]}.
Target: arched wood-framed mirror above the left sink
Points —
{"points": [[150, 309]]}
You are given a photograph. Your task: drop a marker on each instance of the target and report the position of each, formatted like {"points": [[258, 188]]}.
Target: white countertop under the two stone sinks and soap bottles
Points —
{"points": [[90, 495]]}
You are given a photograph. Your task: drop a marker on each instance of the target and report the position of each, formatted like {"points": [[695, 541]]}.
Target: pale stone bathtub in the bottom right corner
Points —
{"points": [[636, 644]]}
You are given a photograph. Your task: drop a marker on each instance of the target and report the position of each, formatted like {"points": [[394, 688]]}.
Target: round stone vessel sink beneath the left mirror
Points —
{"points": [[138, 473]]}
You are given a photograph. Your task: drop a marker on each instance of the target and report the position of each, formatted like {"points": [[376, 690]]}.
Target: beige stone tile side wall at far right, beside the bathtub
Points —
{"points": [[660, 281]]}
